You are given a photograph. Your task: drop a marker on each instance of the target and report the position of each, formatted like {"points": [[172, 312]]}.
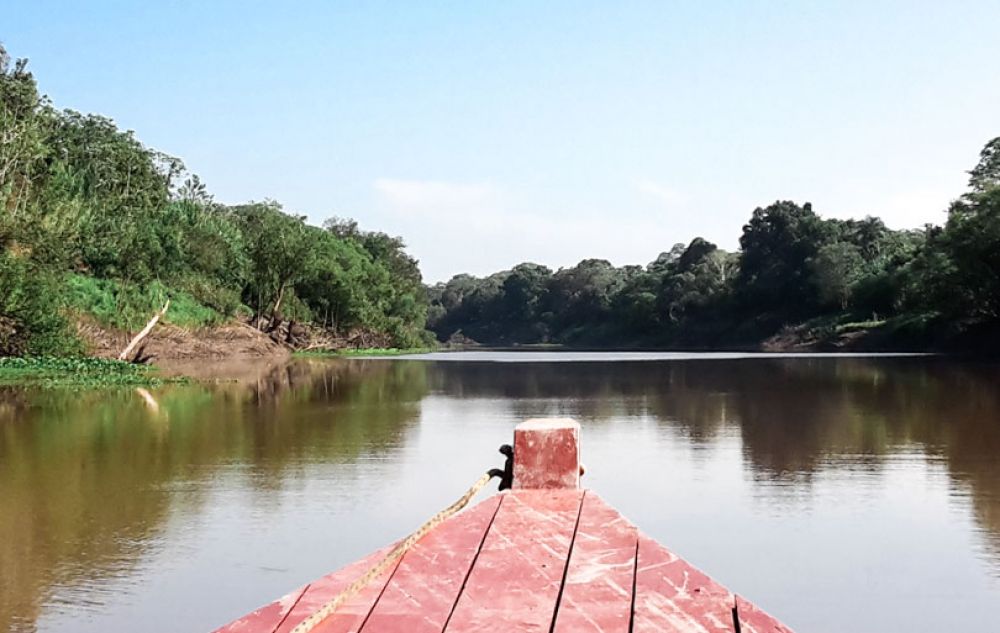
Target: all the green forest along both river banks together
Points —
{"points": [[94, 225]]}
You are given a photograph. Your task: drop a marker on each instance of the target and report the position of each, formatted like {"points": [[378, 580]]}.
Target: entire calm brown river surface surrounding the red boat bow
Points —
{"points": [[842, 494]]}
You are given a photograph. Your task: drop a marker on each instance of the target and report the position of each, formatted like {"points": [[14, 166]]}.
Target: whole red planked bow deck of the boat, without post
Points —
{"points": [[525, 560]]}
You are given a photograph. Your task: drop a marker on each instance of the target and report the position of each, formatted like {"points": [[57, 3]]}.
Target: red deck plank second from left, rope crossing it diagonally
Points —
{"points": [[350, 615]]}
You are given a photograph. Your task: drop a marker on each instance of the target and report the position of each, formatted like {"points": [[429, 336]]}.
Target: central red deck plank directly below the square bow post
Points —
{"points": [[515, 582]]}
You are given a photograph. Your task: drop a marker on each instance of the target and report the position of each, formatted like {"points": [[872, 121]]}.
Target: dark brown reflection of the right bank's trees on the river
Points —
{"points": [[795, 416]]}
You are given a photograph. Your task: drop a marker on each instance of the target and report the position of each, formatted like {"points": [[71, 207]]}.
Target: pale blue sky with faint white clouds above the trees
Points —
{"points": [[490, 133]]}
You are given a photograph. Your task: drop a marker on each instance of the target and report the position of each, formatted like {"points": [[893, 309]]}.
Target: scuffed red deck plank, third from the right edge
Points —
{"points": [[597, 595]]}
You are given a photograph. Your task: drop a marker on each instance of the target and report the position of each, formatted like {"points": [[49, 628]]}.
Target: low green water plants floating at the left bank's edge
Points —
{"points": [[86, 372]]}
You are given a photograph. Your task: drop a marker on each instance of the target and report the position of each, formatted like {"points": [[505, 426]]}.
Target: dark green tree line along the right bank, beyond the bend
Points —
{"points": [[793, 267]]}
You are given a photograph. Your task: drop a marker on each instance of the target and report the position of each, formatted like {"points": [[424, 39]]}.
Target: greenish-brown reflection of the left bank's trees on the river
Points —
{"points": [[88, 479]]}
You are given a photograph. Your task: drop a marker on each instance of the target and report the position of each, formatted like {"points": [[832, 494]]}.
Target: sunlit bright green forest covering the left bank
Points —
{"points": [[96, 225]]}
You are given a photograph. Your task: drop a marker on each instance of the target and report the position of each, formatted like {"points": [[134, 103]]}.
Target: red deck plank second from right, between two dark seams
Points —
{"points": [[671, 595]]}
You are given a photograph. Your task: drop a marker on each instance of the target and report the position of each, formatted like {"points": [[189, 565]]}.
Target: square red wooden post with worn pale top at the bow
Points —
{"points": [[547, 454]]}
